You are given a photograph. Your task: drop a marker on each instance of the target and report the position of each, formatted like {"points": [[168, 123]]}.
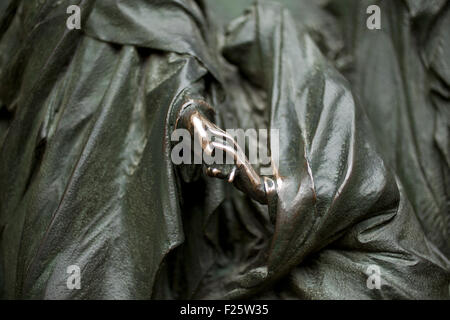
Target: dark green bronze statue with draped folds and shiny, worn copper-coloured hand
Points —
{"points": [[86, 176]]}
